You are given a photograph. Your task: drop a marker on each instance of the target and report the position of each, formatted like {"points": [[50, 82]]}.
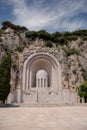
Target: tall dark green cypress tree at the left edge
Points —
{"points": [[5, 66]]}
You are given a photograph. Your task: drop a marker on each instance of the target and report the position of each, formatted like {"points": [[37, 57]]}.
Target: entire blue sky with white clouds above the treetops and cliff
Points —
{"points": [[51, 15]]}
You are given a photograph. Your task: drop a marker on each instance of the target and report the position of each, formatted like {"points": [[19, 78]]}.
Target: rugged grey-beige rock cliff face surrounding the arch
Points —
{"points": [[72, 56]]}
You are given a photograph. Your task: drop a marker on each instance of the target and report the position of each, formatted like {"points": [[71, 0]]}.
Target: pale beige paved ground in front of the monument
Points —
{"points": [[44, 118]]}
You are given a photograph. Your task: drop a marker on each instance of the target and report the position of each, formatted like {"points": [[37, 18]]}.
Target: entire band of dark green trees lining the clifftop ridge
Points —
{"points": [[61, 38]]}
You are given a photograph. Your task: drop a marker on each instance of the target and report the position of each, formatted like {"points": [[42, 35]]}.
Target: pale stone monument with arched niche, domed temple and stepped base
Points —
{"points": [[40, 77]]}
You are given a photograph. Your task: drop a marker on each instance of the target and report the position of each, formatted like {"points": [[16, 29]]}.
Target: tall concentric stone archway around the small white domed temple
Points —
{"points": [[41, 61]]}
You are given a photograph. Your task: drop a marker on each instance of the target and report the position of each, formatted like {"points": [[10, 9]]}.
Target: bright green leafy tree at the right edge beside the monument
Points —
{"points": [[82, 91]]}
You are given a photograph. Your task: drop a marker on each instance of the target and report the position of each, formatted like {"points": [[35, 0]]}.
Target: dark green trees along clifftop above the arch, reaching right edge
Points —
{"points": [[58, 38]]}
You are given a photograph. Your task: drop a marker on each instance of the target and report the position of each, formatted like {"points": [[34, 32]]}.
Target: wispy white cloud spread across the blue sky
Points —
{"points": [[57, 15]]}
